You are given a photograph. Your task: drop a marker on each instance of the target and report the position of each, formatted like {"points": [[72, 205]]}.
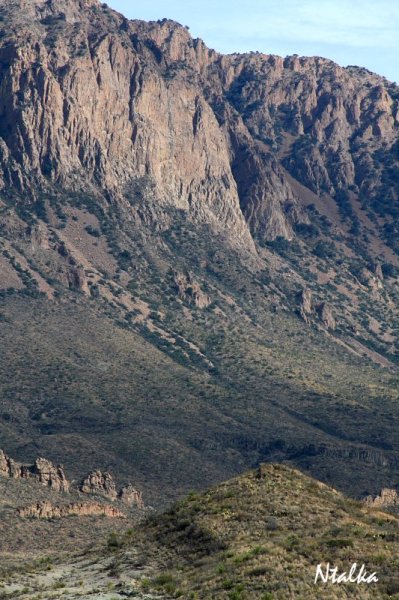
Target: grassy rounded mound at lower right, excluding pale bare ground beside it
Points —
{"points": [[262, 535]]}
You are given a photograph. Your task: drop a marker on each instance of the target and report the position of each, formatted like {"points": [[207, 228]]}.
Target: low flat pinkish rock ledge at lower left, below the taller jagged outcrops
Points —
{"points": [[47, 510]]}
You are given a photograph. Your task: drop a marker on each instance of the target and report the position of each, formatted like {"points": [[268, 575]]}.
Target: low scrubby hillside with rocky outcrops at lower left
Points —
{"points": [[42, 512]]}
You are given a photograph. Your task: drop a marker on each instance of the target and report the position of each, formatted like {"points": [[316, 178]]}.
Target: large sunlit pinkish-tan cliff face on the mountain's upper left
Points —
{"points": [[97, 122]]}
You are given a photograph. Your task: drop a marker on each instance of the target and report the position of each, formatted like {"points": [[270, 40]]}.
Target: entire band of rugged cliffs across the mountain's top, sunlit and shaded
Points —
{"points": [[90, 100]]}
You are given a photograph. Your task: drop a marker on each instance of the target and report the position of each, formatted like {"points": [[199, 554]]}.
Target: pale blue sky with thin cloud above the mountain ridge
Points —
{"points": [[351, 32]]}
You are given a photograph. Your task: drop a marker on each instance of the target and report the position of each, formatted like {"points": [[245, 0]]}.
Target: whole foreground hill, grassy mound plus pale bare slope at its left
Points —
{"points": [[259, 536]]}
